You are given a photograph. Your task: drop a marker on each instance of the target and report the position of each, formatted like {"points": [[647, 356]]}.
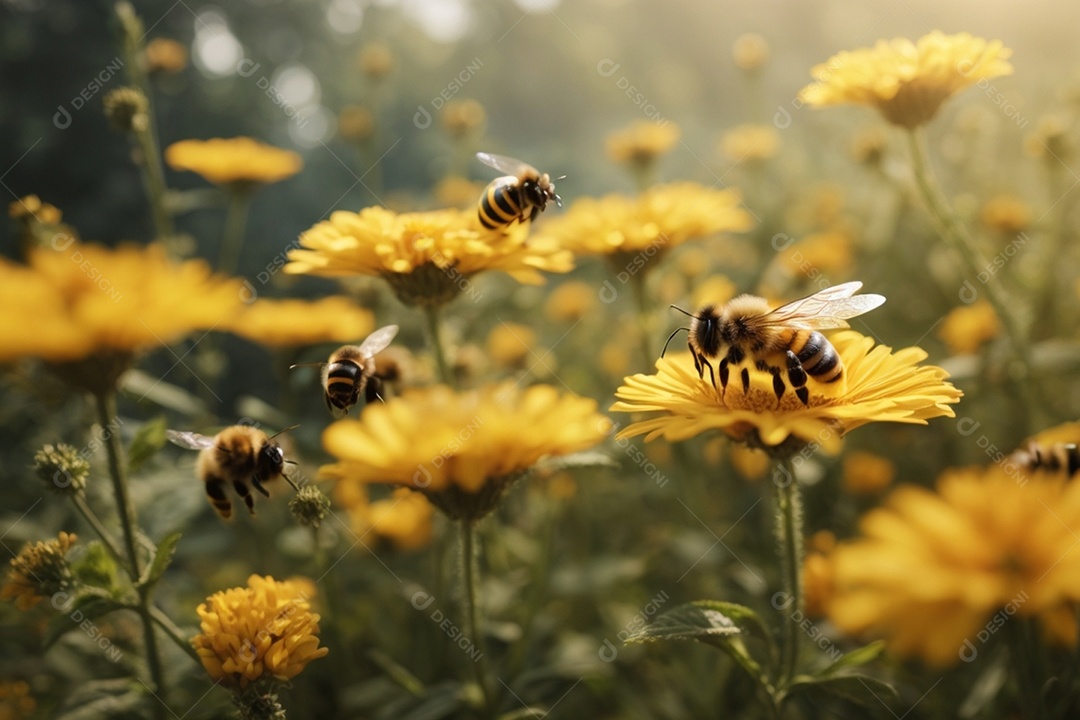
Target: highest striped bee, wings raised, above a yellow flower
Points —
{"points": [[520, 196]]}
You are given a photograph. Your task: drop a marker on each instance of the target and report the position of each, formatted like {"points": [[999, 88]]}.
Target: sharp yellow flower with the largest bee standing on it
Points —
{"points": [[879, 386]]}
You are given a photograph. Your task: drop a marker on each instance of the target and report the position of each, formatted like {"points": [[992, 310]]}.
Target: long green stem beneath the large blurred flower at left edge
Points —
{"points": [[106, 405]]}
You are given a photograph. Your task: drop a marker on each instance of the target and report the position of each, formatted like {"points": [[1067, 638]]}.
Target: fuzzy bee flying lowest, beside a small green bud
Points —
{"points": [[240, 456]]}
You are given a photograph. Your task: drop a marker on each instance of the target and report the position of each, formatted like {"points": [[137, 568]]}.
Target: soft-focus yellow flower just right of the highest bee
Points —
{"points": [[659, 220]]}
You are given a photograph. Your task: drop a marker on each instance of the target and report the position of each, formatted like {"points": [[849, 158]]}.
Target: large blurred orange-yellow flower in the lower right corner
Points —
{"points": [[930, 569]]}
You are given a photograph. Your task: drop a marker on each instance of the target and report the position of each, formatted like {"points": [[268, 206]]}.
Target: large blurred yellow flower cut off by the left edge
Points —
{"points": [[80, 300]]}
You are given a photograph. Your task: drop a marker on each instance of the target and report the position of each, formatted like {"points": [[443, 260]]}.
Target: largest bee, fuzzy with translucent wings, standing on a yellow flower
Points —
{"points": [[779, 341]]}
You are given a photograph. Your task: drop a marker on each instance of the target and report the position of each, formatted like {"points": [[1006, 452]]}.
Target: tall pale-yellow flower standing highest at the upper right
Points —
{"points": [[908, 81]]}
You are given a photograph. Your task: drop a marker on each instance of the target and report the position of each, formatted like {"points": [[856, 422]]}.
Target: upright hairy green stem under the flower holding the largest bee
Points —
{"points": [[790, 539]]}
